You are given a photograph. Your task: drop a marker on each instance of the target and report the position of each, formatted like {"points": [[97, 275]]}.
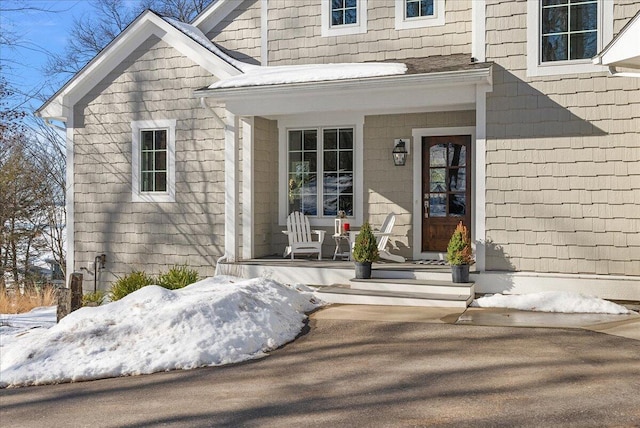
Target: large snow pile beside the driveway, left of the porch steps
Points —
{"points": [[216, 321]]}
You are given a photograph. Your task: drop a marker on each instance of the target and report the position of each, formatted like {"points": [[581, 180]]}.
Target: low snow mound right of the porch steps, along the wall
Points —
{"points": [[551, 301]]}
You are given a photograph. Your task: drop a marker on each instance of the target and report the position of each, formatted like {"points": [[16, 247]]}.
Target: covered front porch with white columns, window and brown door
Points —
{"points": [[268, 125]]}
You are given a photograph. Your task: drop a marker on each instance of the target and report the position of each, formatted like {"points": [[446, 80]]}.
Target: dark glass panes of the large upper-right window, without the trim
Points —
{"points": [[569, 30]]}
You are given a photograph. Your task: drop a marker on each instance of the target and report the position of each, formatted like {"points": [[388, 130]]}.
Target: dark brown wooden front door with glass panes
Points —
{"points": [[446, 189]]}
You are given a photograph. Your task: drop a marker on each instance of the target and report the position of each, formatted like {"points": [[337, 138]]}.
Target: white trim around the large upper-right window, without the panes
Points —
{"points": [[536, 68]]}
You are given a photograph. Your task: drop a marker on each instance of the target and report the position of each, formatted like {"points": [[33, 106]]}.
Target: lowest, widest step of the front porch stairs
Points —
{"points": [[346, 295]]}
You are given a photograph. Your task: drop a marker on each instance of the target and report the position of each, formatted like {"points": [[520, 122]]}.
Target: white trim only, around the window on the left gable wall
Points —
{"points": [[170, 194]]}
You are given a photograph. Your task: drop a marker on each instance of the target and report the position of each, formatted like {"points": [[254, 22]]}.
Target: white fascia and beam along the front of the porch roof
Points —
{"points": [[439, 91]]}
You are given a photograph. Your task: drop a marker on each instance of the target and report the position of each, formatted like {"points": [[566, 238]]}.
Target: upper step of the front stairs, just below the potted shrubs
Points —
{"points": [[413, 286]]}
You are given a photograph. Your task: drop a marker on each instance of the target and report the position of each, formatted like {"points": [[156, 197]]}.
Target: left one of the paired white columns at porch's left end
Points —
{"points": [[231, 186]]}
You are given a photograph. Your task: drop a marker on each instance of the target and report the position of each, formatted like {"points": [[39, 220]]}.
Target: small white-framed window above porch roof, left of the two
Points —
{"points": [[343, 17]]}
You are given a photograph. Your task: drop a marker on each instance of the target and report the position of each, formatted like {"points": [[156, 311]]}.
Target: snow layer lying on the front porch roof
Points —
{"points": [[274, 75]]}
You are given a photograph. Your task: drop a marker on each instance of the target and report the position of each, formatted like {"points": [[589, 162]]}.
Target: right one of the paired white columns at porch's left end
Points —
{"points": [[248, 230]]}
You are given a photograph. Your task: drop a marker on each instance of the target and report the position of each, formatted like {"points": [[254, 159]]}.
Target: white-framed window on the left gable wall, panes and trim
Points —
{"points": [[153, 160]]}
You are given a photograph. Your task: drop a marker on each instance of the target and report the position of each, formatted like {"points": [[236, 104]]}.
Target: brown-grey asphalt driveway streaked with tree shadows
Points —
{"points": [[370, 374]]}
